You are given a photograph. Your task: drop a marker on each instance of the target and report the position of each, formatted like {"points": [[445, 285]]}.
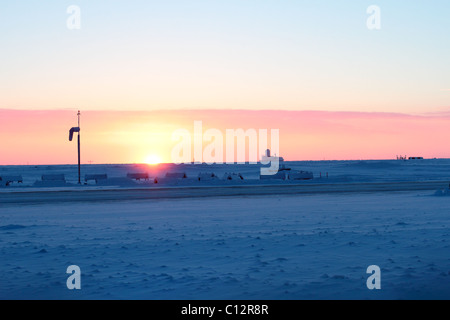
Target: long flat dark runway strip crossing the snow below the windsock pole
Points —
{"points": [[84, 194]]}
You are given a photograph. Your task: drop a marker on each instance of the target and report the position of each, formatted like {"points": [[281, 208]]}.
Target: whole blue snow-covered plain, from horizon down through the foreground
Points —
{"points": [[274, 246]]}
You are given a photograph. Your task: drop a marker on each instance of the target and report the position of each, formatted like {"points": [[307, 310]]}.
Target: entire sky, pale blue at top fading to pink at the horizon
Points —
{"points": [[224, 58]]}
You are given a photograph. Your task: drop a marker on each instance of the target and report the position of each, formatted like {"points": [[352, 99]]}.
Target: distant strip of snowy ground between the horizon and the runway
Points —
{"points": [[338, 171]]}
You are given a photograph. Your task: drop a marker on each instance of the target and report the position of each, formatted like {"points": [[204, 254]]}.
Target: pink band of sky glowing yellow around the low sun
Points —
{"points": [[41, 137]]}
